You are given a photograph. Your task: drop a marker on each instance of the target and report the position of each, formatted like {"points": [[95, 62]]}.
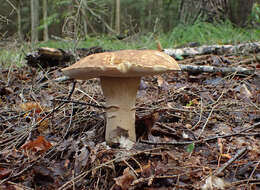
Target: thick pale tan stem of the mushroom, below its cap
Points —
{"points": [[120, 96]]}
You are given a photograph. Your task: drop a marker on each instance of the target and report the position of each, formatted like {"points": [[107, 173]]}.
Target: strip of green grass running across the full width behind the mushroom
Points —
{"points": [[181, 35]]}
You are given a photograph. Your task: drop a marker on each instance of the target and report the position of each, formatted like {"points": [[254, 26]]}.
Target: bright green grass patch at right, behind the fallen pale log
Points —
{"points": [[208, 33]]}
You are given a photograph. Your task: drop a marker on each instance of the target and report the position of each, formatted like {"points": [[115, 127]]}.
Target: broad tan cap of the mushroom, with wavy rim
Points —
{"points": [[123, 63]]}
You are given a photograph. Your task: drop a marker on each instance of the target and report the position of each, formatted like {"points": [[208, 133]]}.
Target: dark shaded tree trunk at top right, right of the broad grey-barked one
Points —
{"points": [[239, 10]]}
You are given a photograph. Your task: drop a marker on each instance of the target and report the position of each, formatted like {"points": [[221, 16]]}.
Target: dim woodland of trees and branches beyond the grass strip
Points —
{"points": [[80, 18]]}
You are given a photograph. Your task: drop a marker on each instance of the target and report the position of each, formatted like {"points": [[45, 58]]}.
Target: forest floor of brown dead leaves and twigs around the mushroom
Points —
{"points": [[195, 131]]}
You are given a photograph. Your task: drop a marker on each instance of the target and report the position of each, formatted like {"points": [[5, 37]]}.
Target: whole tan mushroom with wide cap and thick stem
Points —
{"points": [[120, 73]]}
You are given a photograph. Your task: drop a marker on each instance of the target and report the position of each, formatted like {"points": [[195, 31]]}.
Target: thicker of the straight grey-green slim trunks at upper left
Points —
{"points": [[34, 20]]}
